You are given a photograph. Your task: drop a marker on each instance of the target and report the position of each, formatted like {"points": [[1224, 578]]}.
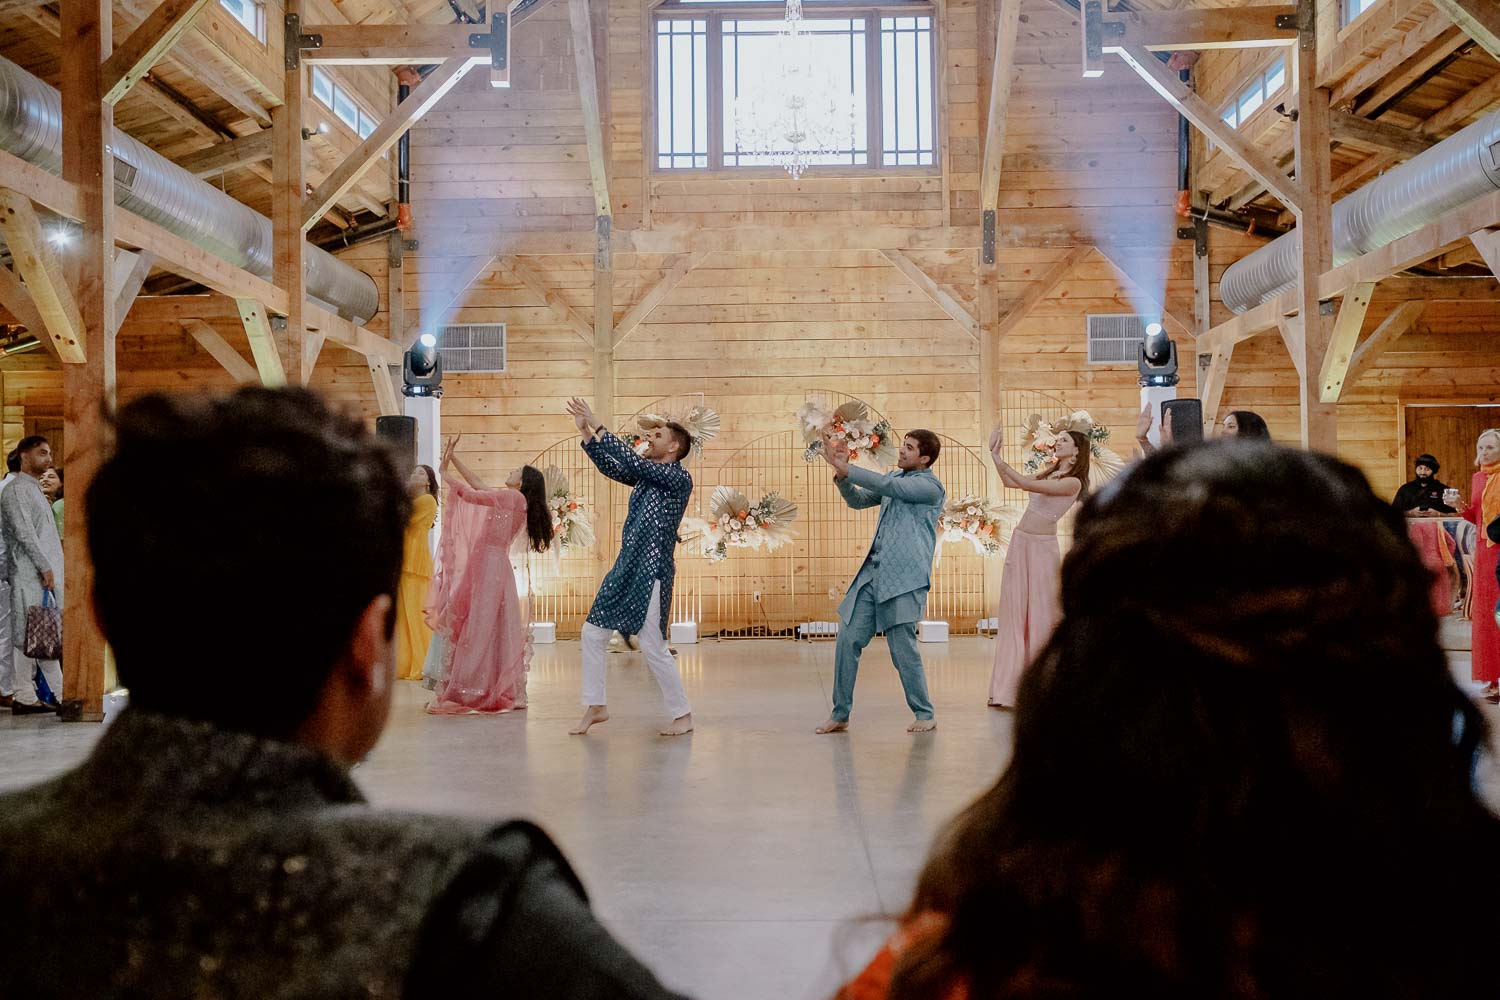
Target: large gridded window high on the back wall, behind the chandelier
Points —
{"points": [[695, 131]]}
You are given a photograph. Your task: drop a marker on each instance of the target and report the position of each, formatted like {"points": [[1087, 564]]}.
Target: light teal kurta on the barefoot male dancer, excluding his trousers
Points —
{"points": [[901, 561]]}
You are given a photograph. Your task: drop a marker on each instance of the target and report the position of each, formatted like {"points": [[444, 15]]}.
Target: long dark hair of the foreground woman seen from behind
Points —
{"points": [[1256, 785]]}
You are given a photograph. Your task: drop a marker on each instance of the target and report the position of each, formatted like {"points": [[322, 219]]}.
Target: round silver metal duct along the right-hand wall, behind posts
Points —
{"points": [[1400, 202]]}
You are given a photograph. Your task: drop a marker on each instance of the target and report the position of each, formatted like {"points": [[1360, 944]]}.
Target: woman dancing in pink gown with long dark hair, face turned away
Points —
{"points": [[473, 605]]}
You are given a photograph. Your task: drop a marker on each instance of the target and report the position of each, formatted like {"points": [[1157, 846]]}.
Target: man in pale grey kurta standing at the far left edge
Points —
{"points": [[35, 561]]}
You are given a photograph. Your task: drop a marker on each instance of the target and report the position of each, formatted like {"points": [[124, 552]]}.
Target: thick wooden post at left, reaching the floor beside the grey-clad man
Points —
{"points": [[88, 164]]}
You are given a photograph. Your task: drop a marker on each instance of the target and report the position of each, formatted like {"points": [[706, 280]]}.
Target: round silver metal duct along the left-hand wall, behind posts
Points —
{"points": [[157, 190]]}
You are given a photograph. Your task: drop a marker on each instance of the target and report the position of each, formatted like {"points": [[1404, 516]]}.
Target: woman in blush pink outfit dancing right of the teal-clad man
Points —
{"points": [[1030, 606]]}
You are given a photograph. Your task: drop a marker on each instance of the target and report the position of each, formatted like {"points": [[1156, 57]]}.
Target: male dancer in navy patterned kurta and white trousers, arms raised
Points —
{"points": [[638, 591]]}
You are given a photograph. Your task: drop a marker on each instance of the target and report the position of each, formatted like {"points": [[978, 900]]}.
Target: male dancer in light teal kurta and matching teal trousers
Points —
{"points": [[890, 591]]}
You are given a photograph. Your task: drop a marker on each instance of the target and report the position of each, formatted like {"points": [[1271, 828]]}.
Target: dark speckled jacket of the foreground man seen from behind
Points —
{"points": [[185, 861]]}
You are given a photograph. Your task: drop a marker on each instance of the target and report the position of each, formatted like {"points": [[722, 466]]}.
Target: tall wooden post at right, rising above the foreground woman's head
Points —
{"points": [[1315, 223]]}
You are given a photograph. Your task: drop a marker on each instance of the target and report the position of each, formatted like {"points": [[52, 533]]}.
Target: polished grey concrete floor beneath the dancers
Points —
{"points": [[742, 861]]}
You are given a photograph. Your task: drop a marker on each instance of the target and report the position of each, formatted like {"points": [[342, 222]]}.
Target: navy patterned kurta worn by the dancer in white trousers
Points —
{"points": [[649, 539]]}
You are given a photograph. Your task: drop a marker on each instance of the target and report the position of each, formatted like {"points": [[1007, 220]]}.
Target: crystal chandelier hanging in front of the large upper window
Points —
{"points": [[800, 109]]}
